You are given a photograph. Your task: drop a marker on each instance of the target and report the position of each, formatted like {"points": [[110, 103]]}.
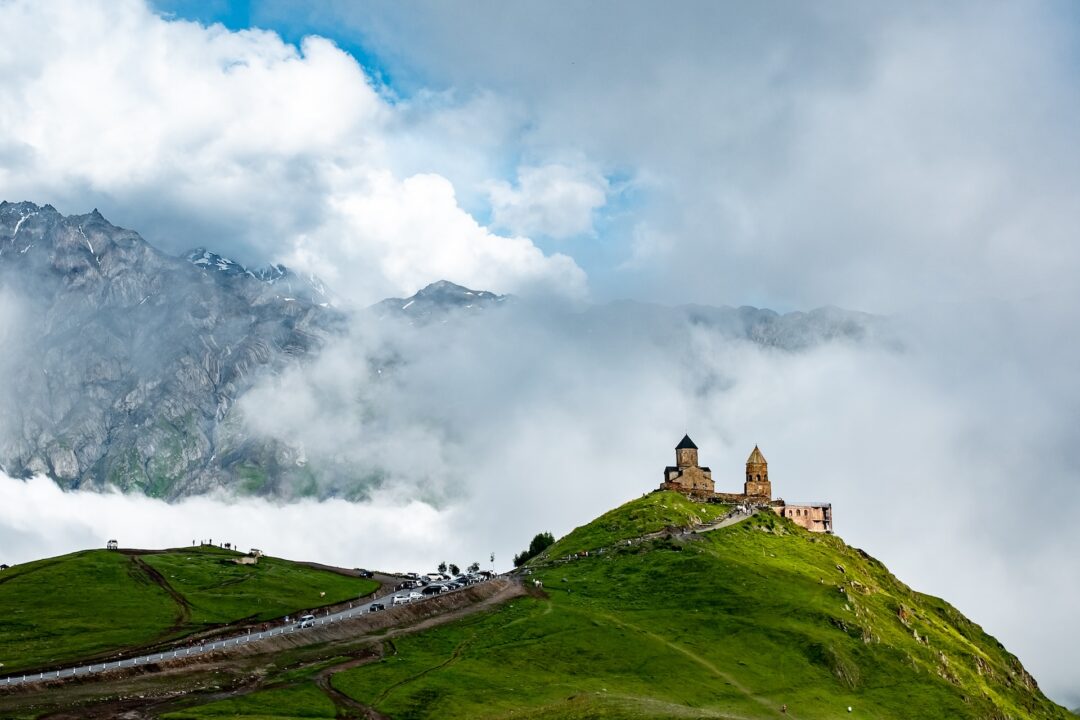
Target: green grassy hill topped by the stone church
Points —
{"points": [[734, 623]]}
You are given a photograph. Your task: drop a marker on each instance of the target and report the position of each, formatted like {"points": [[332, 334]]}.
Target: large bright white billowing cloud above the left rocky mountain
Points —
{"points": [[238, 141]]}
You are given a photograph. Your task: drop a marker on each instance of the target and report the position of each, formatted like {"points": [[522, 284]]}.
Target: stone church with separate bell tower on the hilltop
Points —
{"points": [[688, 478]]}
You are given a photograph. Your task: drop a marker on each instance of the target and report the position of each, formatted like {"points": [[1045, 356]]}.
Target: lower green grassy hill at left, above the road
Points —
{"points": [[97, 603]]}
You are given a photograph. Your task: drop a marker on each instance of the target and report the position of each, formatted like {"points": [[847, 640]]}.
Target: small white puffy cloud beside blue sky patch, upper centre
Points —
{"points": [[553, 200]]}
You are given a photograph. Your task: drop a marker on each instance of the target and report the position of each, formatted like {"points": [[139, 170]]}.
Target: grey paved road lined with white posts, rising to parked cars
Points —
{"points": [[360, 608]]}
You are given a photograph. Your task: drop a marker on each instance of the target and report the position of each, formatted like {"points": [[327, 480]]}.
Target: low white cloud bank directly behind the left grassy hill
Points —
{"points": [[38, 520]]}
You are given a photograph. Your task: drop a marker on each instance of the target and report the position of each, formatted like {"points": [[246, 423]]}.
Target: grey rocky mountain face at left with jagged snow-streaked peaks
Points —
{"points": [[128, 361]]}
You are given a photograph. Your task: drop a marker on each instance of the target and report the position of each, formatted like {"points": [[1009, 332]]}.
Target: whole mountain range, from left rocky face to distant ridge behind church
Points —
{"points": [[131, 362]]}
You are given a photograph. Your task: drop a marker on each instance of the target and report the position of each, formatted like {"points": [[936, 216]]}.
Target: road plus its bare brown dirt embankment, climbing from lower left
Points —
{"points": [[315, 632]]}
